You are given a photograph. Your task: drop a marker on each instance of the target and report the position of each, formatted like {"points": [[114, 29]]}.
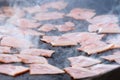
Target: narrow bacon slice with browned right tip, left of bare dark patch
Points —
{"points": [[37, 52]]}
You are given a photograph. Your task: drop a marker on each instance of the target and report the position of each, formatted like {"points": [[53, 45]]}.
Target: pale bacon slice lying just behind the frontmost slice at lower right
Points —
{"points": [[82, 61]]}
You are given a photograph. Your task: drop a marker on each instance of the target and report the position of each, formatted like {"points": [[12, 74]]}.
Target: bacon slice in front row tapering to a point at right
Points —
{"points": [[44, 69]]}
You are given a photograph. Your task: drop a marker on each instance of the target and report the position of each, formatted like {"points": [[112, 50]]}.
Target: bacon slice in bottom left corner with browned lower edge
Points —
{"points": [[12, 70]]}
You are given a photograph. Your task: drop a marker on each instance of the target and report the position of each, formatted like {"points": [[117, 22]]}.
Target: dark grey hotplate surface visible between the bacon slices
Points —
{"points": [[59, 59]]}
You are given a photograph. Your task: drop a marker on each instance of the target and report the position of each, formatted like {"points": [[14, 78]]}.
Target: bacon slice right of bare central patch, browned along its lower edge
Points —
{"points": [[95, 47]]}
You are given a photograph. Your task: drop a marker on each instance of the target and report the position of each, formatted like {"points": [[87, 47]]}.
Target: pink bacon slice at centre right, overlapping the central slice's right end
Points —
{"points": [[82, 37]]}
